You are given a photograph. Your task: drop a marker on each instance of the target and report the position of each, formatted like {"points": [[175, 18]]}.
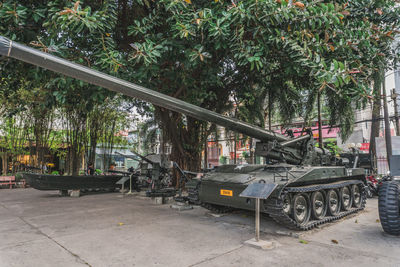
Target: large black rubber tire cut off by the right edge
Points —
{"points": [[389, 207]]}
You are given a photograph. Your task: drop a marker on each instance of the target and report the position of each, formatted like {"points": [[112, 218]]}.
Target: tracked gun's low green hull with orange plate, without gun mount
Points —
{"points": [[223, 187]]}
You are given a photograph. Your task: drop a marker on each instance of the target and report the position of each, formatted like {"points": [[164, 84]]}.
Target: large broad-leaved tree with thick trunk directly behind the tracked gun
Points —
{"points": [[206, 51]]}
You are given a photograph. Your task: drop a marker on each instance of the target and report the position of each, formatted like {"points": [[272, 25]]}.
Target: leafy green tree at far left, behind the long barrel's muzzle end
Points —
{"points": [[78, 33]]}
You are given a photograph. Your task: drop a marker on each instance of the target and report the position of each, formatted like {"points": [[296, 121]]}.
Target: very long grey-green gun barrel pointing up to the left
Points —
{"points": [[12, 49]]}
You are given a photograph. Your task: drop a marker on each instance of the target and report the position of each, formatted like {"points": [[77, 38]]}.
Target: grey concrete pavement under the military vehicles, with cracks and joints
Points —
{"points": [[38, 228]]}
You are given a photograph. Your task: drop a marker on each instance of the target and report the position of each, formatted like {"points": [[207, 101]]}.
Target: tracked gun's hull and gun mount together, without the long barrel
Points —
{"points": [[309, 188]]}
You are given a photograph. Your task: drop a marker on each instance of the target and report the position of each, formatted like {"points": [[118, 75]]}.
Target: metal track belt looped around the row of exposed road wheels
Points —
{"points": [[274, 206]]}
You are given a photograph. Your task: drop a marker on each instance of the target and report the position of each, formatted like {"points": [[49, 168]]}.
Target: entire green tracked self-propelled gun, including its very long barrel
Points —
{"points": [[310, 189]]}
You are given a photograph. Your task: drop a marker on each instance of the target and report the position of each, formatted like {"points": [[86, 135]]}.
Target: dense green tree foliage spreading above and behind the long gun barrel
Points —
{"points": [[262, 56]]}
